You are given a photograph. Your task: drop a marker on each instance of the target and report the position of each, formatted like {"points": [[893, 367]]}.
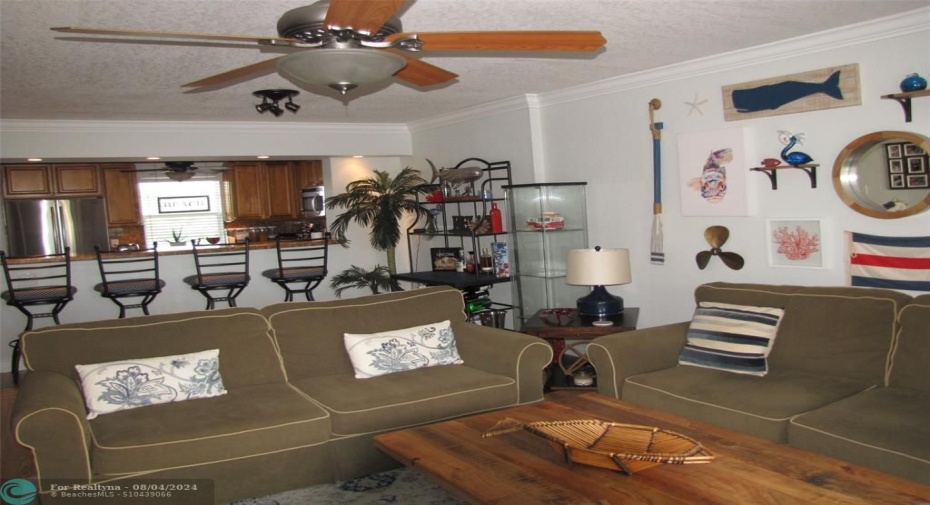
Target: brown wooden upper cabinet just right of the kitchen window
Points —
{"points": [[264, 190]]}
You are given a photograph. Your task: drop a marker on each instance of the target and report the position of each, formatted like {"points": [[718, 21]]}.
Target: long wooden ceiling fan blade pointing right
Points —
{"points": [[508, 41]]}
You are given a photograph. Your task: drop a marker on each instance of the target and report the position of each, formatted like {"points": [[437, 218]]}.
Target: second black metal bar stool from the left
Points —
{"points": [[129, 275]]}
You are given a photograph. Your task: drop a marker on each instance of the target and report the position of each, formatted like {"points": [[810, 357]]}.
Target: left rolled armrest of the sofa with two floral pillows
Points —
{"points": [[49, 418]]}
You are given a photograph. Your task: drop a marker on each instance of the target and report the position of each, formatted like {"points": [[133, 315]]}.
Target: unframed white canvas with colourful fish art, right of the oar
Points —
{"points": [[712, 173]]}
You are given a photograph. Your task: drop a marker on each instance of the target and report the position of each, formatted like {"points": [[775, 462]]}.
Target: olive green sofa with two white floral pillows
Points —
{"points": [[294, 414]]}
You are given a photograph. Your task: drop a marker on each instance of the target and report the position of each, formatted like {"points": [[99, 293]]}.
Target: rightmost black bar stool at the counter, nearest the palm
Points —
{"points": [[302, 265]]}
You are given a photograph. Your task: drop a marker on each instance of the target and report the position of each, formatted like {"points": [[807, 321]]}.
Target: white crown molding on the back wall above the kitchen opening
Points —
{"points": [[38, 125]]}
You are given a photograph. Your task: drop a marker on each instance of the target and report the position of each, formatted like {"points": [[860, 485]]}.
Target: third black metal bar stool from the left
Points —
{"points": [[226, 270]]}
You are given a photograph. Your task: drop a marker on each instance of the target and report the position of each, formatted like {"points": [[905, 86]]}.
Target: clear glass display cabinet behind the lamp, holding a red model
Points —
{"points": [[546, 221]]}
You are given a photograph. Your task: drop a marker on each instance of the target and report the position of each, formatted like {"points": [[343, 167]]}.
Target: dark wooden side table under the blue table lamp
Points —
{"points": [[559, 325]]}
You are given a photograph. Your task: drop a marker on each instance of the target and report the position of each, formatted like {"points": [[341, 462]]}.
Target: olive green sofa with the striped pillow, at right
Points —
{"points": [[848, 374]]}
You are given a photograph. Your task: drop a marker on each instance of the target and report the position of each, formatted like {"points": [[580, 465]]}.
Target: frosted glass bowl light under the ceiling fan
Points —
{"points": [[340, 69]]}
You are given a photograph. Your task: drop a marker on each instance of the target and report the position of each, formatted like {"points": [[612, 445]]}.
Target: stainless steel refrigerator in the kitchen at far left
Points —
{"points": [[43, 227]]}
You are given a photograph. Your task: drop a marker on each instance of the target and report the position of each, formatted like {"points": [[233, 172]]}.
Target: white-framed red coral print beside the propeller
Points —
{"points": [[795, 243]]}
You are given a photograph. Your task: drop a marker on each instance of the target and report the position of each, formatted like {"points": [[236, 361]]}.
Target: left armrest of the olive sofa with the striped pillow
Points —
{"points": [[621, 355]]}
